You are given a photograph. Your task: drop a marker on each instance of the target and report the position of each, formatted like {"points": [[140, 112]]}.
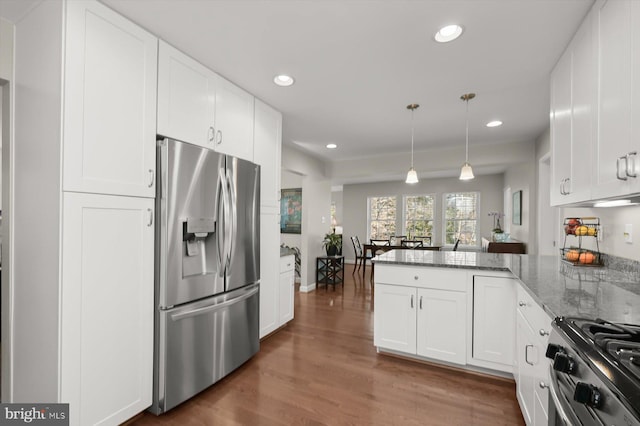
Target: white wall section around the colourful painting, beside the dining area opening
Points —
{"points": [[316, 209]]}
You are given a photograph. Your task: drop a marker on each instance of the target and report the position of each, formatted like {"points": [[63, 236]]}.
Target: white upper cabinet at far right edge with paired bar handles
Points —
{"points": [[617, 164]]}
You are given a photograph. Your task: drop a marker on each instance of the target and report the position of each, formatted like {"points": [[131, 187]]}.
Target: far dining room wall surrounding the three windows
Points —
{"points": [[355, 203]]}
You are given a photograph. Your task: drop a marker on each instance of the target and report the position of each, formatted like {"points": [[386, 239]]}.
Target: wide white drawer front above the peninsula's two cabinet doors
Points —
{"points": [[422, 277]]}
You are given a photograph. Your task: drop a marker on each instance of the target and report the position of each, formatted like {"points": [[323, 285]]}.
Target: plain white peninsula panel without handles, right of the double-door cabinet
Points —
{"points": [[494, 322]]}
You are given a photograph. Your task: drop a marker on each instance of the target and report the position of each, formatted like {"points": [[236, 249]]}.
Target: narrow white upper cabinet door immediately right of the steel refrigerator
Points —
{"points": [[267, 152]]}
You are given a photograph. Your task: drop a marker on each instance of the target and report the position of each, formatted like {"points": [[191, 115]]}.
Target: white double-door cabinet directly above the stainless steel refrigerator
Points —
{"points": [[198, 106]]}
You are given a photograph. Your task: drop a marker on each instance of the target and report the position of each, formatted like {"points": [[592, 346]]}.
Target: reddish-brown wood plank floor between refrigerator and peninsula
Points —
{"points": [[322, 369]]}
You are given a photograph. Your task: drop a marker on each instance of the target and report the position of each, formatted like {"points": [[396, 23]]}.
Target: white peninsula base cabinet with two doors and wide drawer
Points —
{"points": [[427, 317]]}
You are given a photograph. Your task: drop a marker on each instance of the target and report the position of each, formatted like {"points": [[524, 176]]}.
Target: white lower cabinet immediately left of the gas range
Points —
{"points": [[531, 366]]}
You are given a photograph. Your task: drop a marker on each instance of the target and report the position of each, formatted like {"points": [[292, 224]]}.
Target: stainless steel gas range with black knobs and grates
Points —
{"points": [[595, 375]]}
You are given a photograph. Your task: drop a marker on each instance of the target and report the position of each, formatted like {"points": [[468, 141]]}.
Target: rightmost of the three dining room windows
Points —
{"points": [[461, 218]]}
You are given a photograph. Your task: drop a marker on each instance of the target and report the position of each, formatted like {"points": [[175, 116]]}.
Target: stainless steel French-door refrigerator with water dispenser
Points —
{"points": [[207, 269]]}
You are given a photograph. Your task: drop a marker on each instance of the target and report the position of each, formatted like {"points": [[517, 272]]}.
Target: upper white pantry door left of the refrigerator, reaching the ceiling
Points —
{"points": [[110, 88]]}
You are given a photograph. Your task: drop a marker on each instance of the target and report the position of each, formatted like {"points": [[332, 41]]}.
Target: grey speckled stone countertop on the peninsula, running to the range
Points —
{"points": [[560, 288]]}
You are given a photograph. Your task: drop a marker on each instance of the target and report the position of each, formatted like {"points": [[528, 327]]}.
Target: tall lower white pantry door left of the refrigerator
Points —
{"points": [[107, 307]]}
